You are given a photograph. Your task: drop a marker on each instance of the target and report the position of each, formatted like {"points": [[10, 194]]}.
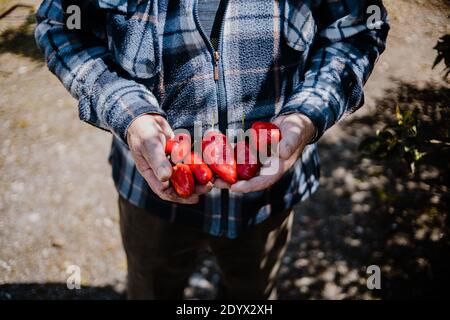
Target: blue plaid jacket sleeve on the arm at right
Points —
{"points": [[341, 60]]}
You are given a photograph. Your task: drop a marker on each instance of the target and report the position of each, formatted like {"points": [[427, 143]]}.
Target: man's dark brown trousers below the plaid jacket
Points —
{"points": [[162, 255]]}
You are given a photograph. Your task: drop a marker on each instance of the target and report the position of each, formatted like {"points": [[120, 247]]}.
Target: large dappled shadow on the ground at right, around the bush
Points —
{"points": [[371, 214]]}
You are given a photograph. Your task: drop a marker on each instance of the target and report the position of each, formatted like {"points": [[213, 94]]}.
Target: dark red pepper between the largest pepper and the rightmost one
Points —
{"points": [[247, 164]]}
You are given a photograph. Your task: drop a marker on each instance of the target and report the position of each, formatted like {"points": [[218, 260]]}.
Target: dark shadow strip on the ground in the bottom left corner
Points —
{"points": [[50, 291]]}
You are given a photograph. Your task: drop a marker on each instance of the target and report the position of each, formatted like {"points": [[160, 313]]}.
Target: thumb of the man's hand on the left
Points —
{"points": [[156, 158]]}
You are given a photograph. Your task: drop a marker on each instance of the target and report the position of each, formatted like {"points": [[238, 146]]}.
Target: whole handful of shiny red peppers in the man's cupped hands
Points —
{"points": [[219, 157]]}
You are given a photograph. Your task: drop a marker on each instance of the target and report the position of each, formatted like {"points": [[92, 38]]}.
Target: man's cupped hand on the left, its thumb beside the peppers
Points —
{"points": [[146, 139]]}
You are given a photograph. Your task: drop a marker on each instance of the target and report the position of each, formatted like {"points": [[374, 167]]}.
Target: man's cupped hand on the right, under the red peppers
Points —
{"points": [[297, 130]]}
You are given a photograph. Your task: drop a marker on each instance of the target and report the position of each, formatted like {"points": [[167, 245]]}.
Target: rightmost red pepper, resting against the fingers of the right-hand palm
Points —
{"points": [[258, 141]]}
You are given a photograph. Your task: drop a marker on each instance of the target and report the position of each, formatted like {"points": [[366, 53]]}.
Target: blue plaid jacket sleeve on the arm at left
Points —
{"points": [[108, 98]]}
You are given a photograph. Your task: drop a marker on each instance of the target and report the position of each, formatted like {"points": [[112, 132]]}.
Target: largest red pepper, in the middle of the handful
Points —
{"points": [[218, 154]]}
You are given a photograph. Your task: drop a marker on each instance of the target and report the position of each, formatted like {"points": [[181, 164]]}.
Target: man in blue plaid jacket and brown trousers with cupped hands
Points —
{"points": [[142, 68]]}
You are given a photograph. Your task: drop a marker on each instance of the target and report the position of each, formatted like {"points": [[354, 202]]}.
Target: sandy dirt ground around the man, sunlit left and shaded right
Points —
{"points": [[58, 203]]}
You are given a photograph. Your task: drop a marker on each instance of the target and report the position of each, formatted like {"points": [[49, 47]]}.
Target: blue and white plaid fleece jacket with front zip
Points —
{"points": [[277, 57]]}
